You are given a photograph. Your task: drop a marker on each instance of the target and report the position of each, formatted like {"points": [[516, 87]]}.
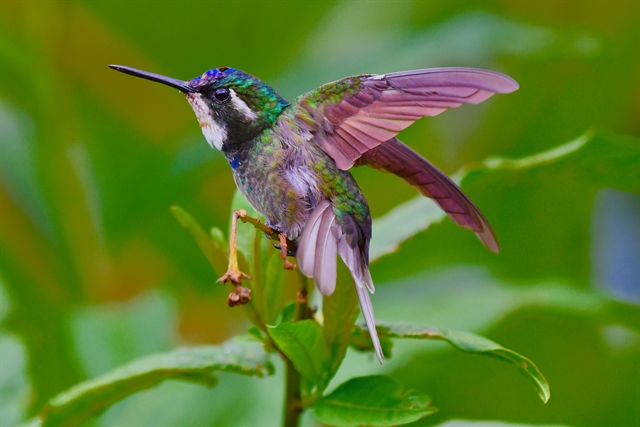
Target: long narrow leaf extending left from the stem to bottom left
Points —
{"points": [[198, 364]]}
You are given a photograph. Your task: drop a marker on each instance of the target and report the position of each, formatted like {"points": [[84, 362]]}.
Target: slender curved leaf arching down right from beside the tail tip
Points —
{"points": [[464, 341]]}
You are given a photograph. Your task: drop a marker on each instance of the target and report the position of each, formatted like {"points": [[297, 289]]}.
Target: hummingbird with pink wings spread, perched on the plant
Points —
{"points": [[291, 159]]}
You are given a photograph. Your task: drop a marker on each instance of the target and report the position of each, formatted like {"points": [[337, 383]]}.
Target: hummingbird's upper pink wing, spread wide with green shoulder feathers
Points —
{"points": [[353, 115]]}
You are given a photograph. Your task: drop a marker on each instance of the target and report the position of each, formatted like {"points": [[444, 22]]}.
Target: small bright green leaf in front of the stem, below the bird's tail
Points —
{"points": [[303, 344]]}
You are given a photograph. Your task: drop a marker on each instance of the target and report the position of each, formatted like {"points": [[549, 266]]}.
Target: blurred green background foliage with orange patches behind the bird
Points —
{"points": [[95, 271]]}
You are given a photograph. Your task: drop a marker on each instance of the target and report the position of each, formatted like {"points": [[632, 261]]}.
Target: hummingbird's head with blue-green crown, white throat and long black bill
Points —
{"points": [[232, 106]]}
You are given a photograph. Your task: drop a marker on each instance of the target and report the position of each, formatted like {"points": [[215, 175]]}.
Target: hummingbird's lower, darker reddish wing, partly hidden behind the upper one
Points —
{"points": [[395, 157]]}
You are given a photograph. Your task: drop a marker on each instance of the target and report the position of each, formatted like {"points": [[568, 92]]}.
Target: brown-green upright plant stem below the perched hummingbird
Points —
{"points": [[293, 399]]}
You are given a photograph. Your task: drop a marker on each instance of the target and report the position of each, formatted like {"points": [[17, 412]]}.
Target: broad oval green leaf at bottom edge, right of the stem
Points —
{"points": [[372, 401]]}
